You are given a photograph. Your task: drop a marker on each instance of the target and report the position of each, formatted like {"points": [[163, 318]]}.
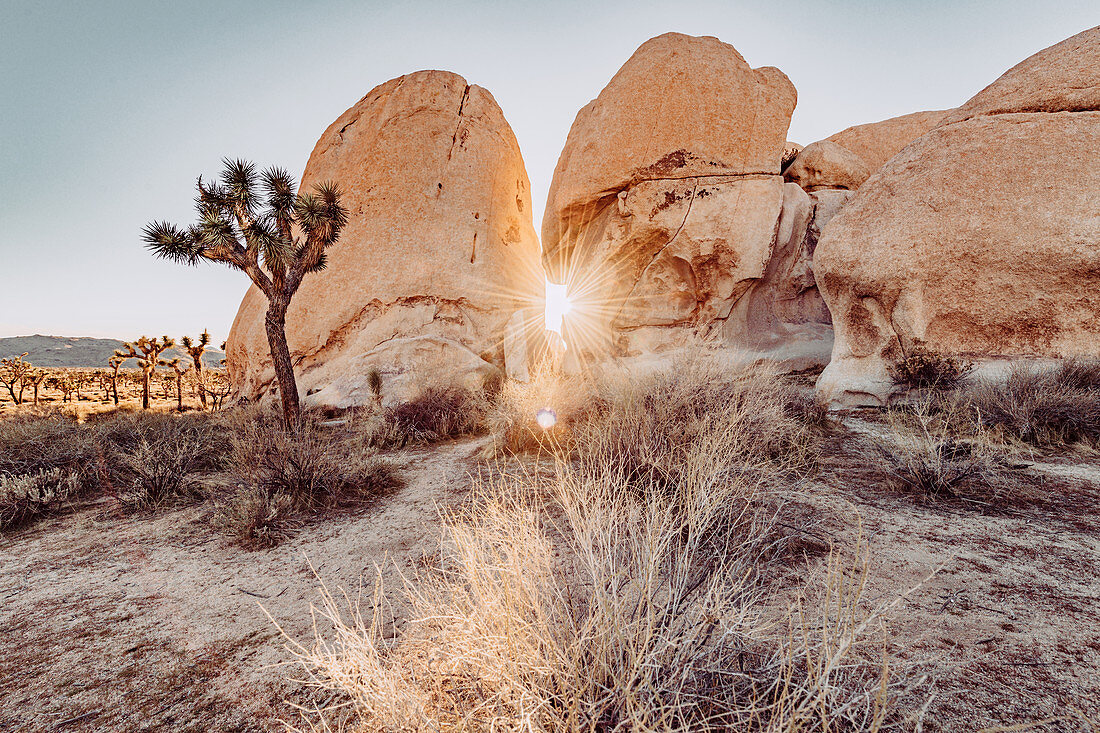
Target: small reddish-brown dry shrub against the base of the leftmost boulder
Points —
{"points": [[436, 414]]}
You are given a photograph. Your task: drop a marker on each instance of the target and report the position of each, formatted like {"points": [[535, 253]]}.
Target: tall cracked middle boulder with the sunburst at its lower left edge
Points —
{"points": [[668, 207]]}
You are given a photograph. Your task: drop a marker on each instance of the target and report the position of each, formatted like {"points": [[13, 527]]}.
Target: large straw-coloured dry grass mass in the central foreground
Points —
{"points": [[613, 599]]}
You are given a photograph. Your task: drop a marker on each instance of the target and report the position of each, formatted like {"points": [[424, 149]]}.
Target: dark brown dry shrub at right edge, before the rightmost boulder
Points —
{"points": [[1048, 408]]}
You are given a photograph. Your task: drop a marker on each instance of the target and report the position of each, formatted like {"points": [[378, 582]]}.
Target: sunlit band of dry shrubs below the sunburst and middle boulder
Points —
{"points": [[626, 413]]}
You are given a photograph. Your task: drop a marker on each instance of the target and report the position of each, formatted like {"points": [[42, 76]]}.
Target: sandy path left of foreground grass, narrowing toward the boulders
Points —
{"points": [[122, 623]]}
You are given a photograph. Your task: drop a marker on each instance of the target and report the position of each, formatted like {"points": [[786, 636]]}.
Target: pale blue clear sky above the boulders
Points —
{"points": [[109, 111]]}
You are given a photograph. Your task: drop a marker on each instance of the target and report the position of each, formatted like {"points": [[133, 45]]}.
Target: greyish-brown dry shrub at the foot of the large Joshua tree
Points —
{"points": [[281, 477]]}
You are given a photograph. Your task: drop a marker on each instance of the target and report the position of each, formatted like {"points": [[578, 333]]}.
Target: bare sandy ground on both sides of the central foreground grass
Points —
{"points": [[137, 623]]}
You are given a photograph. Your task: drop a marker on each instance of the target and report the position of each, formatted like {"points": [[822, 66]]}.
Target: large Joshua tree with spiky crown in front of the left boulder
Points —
{"points": [[260, 224]]}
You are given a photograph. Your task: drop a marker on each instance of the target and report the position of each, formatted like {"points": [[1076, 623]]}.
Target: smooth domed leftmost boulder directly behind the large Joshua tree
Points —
{"points": [[438, 255]]}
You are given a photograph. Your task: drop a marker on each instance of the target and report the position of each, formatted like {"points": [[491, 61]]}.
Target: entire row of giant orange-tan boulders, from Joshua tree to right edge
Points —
{"points": [[680, 215]]}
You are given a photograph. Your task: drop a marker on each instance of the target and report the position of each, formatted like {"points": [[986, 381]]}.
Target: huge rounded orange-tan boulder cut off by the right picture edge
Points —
{"points": [[981, 238]]}
